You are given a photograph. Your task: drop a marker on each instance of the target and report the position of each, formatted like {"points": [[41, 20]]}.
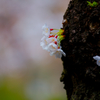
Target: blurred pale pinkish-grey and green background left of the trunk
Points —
{"points": [[27, 72]]}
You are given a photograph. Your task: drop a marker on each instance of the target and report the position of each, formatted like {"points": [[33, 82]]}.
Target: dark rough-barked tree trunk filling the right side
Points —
{"points": [[81, 74]]}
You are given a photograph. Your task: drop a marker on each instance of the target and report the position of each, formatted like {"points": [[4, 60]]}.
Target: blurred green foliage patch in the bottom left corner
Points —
{"points": [[10, 90]]}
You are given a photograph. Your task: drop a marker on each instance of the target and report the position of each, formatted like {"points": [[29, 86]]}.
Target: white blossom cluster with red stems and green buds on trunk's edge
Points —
{"points": [[51, 41]]}
